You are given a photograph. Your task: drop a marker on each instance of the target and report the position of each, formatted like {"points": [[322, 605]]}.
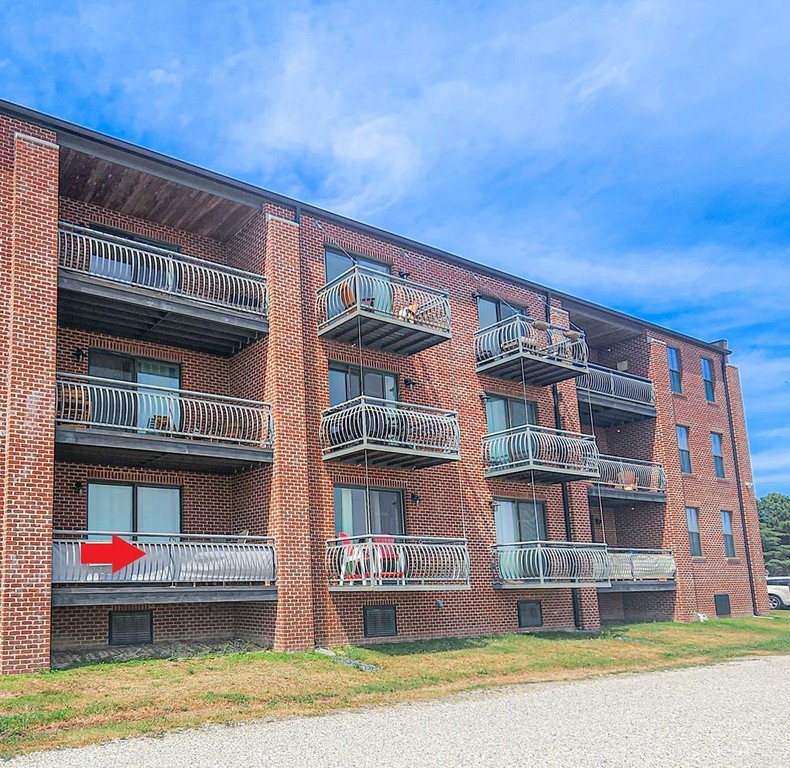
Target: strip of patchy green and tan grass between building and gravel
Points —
{"points": [[103, 701]]}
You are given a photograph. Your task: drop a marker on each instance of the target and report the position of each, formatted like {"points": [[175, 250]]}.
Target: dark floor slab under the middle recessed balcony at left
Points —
{"points": [[117, 448]]}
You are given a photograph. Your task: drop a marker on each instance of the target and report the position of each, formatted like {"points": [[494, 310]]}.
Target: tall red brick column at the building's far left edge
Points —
{"points": [[30, 282]]}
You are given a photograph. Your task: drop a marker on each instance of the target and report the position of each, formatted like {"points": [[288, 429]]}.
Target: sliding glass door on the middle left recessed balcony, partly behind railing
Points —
{"points": [[159, 410]]}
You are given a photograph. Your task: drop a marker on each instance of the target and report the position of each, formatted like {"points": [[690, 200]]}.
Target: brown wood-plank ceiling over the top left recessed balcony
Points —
{"points": [[144, 195]]}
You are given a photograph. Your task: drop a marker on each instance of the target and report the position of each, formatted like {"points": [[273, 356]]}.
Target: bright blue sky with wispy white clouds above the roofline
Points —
{"points": [[635, 153]]}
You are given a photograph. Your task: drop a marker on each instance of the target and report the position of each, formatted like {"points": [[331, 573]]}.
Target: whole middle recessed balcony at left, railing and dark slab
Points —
{"points": [[104, 421]]}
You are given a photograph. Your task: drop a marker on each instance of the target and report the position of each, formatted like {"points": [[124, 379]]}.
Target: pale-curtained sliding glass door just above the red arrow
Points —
{"points": [[129, 508]]}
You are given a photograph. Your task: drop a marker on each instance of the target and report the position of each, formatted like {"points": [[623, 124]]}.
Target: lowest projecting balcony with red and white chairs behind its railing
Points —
{"points": [[395, 563]]}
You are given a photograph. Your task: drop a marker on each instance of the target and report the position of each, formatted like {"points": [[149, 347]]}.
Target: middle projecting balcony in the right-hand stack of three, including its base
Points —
{"points": [[540, 454]]}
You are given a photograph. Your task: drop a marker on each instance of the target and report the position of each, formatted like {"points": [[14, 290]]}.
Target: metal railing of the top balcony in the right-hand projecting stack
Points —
{"points": [[520, 335]]}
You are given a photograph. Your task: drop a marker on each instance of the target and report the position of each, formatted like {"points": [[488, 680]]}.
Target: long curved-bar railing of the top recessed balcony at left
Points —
{"points": [[126, 261]]}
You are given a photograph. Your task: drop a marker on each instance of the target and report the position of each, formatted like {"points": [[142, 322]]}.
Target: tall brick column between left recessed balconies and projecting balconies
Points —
{"points": [[289, 505]]}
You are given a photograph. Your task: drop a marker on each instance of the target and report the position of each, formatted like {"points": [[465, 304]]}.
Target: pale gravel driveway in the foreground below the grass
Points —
{"points": [[729, 715]]}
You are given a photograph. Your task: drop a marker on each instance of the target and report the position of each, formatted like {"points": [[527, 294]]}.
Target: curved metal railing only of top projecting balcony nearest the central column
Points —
{"points": [[361, 289]]}
